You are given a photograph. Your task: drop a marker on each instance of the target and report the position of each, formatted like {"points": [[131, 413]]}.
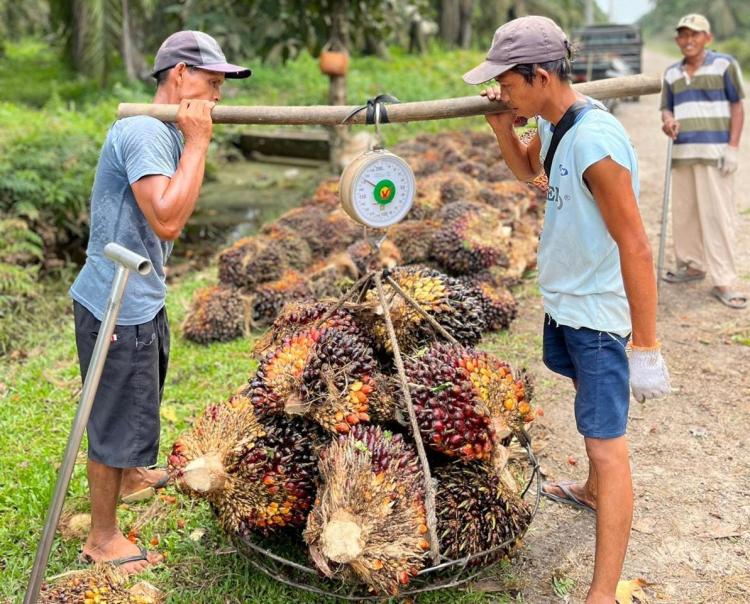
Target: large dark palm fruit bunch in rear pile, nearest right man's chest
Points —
{"points": [[471, 243]]}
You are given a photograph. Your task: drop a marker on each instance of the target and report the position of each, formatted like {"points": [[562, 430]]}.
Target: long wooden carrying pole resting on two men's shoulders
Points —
{"points": [[328, 115]]}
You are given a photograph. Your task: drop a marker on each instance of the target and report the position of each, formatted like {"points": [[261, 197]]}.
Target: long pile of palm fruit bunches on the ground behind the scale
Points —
{"points": [[471, 220]]}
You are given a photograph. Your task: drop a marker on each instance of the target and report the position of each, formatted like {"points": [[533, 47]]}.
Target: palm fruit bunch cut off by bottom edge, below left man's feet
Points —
{"points": [[101, 584]]}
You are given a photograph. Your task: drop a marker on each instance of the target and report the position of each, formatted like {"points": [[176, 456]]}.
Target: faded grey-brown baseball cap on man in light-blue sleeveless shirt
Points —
{"points": [[525, 40]]}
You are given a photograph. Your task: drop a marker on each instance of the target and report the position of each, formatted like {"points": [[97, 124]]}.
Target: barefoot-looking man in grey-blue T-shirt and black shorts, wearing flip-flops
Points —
{"points": [[147, 183]]}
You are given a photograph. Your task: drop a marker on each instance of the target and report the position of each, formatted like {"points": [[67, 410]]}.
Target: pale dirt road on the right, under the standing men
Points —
{"points": [[690, 452]]}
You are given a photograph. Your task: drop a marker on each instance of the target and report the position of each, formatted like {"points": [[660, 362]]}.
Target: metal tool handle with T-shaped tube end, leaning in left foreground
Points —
{"points": [[126, 261]]}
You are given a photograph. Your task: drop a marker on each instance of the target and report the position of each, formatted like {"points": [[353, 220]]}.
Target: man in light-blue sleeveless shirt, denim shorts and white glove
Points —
{"points": [[595, 267]]}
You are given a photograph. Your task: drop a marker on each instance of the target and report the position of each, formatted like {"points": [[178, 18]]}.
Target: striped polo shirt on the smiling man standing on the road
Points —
{"points": [[701, 105]]}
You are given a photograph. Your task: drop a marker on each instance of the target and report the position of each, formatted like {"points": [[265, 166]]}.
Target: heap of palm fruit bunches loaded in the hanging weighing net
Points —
{"points": [[316, 447]]}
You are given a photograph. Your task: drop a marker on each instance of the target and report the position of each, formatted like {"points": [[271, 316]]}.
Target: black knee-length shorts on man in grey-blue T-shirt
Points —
{"points": [[123, 428]]}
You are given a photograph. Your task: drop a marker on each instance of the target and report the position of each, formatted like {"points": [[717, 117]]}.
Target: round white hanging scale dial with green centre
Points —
{"points": [[377, 189]]}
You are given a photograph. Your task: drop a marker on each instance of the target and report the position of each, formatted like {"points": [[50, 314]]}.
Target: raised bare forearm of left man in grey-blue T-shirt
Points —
{"points": [[178, 201]]}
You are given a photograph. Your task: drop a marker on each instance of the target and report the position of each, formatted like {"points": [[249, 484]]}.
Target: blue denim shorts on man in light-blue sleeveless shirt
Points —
{"points": [[597, 361]]}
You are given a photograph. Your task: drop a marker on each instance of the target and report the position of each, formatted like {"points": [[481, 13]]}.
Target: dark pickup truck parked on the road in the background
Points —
{"points": [[601, 51]]}
